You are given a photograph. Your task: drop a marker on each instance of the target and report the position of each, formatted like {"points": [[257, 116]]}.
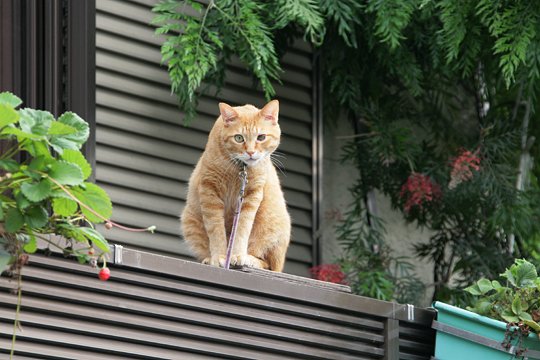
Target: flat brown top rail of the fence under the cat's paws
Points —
{"points": [[275, 285]]}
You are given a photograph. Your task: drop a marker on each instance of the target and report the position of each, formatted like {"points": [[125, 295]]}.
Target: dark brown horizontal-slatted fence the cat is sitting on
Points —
{"points": [[157, 307]]}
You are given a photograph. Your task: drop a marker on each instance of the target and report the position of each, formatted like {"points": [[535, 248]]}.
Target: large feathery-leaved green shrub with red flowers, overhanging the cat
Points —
{"points": [[443, 96]]}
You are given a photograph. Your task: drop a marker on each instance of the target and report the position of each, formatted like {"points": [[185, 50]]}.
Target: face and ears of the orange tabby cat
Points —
{"points": [[249, 134]]}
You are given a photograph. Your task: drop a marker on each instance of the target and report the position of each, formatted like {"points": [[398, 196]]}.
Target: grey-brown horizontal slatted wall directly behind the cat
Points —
{"points": [[145, 155]]}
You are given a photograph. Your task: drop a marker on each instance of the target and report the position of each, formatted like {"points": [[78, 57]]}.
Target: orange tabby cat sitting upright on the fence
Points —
{"points": [[241, 135]]}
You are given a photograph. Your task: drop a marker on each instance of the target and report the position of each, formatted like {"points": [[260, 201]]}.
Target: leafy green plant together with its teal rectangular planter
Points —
{"points": [[503, 321]]}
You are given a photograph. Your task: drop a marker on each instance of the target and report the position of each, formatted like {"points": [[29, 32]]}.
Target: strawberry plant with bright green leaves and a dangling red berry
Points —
{"points": [[44, 193]]}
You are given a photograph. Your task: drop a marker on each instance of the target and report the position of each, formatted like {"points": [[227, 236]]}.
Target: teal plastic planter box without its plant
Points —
{"points": [[462, 334]]}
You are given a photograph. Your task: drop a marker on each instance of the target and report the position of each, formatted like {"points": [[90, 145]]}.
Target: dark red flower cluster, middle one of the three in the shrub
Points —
{"points": [[418, 190]]}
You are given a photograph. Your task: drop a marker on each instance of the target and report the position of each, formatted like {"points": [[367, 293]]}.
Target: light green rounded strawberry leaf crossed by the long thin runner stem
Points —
{"points": [[97, 199]]}
